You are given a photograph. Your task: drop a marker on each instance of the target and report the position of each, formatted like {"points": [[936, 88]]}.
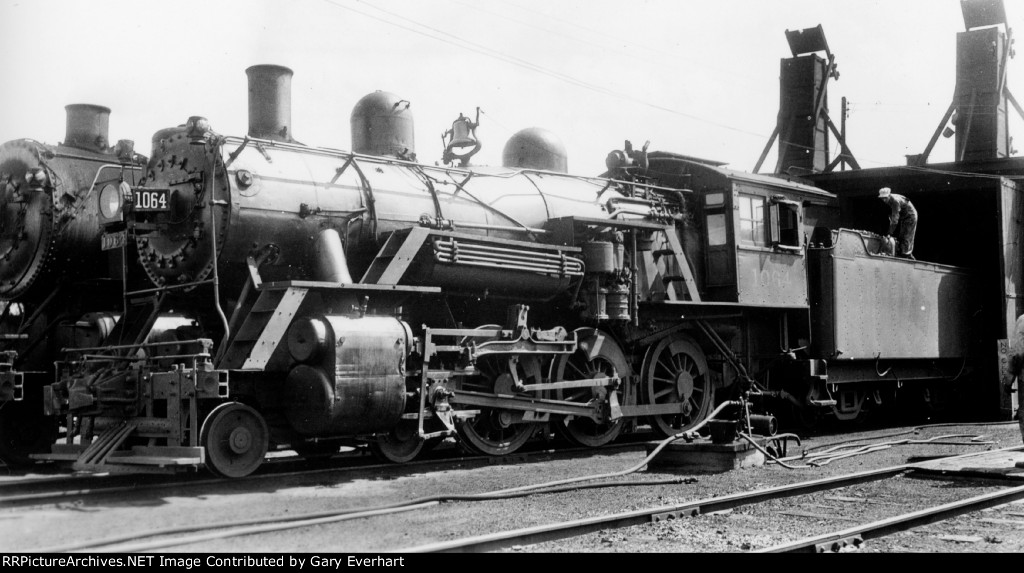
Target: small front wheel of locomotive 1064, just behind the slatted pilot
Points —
{"points": [[236, 438]]}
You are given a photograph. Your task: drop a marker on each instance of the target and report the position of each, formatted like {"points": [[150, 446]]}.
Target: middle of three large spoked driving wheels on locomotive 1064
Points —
{"points": [[598, 357]]}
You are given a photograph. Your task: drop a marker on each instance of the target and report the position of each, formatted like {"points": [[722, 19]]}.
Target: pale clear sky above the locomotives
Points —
{"points": [[699, 78]]}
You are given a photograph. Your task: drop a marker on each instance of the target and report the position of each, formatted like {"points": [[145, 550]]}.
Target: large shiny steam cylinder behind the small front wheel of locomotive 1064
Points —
{"points": [[352, 376]]}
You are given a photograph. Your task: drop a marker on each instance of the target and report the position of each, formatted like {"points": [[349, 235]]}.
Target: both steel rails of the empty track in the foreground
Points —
{"points": [[832, 542]]}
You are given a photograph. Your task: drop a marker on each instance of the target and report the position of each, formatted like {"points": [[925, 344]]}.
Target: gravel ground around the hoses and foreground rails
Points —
{"points": [[746, 528]]}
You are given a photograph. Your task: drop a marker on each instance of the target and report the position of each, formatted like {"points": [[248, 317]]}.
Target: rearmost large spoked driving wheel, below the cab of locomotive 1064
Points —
{"points": [[675, 372]]}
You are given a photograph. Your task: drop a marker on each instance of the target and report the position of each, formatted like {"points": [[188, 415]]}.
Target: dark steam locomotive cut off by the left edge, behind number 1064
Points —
{"points": [[56, 286]]}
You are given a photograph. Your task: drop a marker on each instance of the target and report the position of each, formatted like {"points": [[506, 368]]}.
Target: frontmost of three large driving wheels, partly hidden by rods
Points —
{"points": [[494, 431]]}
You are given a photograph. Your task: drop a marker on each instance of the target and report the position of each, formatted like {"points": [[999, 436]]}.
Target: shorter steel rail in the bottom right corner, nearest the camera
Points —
{"points": [[858, 536]]}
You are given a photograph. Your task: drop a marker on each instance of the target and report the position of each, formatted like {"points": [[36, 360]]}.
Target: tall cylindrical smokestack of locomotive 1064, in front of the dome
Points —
{"points": [[271, 103]]}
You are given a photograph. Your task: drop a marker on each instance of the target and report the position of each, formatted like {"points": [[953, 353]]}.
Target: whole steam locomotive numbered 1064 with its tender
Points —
{"points": [[327, 297]]}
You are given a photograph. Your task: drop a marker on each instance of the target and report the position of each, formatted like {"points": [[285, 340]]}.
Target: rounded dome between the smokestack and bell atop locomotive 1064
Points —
{"points": [[382, 125]]}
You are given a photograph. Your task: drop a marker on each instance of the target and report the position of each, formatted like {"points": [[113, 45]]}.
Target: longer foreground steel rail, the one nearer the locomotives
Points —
{"points": [[563, 531]]}
